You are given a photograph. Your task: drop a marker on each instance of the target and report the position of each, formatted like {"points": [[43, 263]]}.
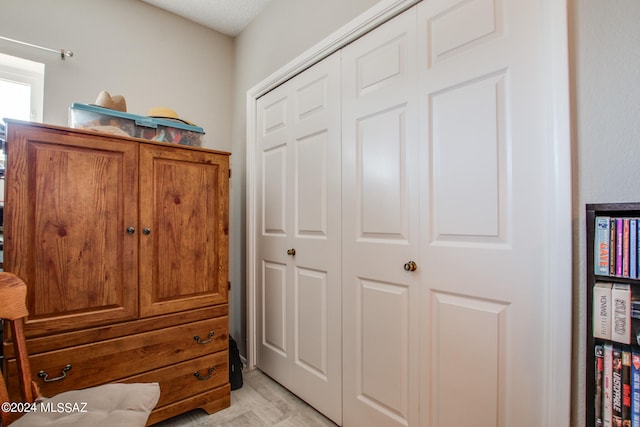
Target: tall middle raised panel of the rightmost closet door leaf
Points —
{"points": [[476, 151]]}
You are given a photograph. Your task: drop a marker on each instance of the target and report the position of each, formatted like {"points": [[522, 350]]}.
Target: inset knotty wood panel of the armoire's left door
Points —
{"points": [[76, 226]]}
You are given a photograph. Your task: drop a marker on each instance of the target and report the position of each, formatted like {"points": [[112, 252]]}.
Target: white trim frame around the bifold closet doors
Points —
{"points": [[558, 329]]}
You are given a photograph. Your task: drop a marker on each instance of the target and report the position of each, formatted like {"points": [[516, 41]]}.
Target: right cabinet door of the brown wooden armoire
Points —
{"points": [[183, 229]]}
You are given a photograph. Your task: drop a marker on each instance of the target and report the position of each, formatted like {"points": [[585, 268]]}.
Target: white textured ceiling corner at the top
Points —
{"points": [[226, 16]]}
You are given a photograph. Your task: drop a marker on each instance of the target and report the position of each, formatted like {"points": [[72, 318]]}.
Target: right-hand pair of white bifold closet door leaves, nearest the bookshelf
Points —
{"points": [[448, 161]]}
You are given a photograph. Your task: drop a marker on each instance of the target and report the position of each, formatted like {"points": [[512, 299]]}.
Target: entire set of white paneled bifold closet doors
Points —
{"points": [[413, 173]]}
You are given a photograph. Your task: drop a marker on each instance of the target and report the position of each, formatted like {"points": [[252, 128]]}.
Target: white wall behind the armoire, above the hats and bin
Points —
{"points": [[129, 48]]}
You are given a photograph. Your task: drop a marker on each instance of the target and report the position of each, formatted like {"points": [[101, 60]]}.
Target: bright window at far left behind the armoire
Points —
{"points": [[21, 88]]}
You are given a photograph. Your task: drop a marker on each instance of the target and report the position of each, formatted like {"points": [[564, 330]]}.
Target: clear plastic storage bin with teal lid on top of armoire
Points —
{"points": [[92, 117]]}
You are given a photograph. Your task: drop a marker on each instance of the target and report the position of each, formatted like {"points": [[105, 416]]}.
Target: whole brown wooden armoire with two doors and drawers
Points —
{"points": [[123, 244]]}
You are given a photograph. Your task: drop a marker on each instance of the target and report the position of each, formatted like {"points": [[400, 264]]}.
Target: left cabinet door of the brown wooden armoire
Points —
{"points": [[69, 199]]}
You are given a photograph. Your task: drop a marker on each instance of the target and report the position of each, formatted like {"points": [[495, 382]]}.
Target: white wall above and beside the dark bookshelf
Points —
{"points": [[605, 53]]}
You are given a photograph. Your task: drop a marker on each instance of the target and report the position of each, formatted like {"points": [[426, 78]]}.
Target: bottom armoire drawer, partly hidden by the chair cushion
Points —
{"points": [[179, 381]]}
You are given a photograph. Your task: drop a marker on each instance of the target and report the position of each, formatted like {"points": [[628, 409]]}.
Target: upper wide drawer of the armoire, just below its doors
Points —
{"points": [[112, 360]]}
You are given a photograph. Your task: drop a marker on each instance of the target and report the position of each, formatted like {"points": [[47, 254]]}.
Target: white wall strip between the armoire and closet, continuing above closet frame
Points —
{"points": [[284, 30]]}
